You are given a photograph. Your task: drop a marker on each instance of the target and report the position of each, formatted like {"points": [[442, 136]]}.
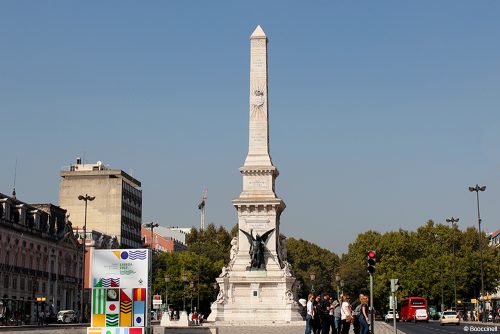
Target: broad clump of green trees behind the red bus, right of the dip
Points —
{"points": [[424, 263]]}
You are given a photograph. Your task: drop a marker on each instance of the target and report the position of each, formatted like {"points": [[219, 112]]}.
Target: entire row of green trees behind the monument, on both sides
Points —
{"points": [[422, 260]]}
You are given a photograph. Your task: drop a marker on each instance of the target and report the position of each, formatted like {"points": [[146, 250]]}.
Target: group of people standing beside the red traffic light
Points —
{"points": [[327, 315]]}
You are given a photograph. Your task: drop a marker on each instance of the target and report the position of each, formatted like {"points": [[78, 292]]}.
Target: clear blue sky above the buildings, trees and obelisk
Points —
{"points": [[382, 113]]}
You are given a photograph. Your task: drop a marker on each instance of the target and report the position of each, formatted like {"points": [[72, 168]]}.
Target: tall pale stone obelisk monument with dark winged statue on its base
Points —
{"points": [[262, 294]]}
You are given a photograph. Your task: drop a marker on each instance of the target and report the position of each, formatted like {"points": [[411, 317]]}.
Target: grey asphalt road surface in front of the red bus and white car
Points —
{"points": [[436, 328]]}
